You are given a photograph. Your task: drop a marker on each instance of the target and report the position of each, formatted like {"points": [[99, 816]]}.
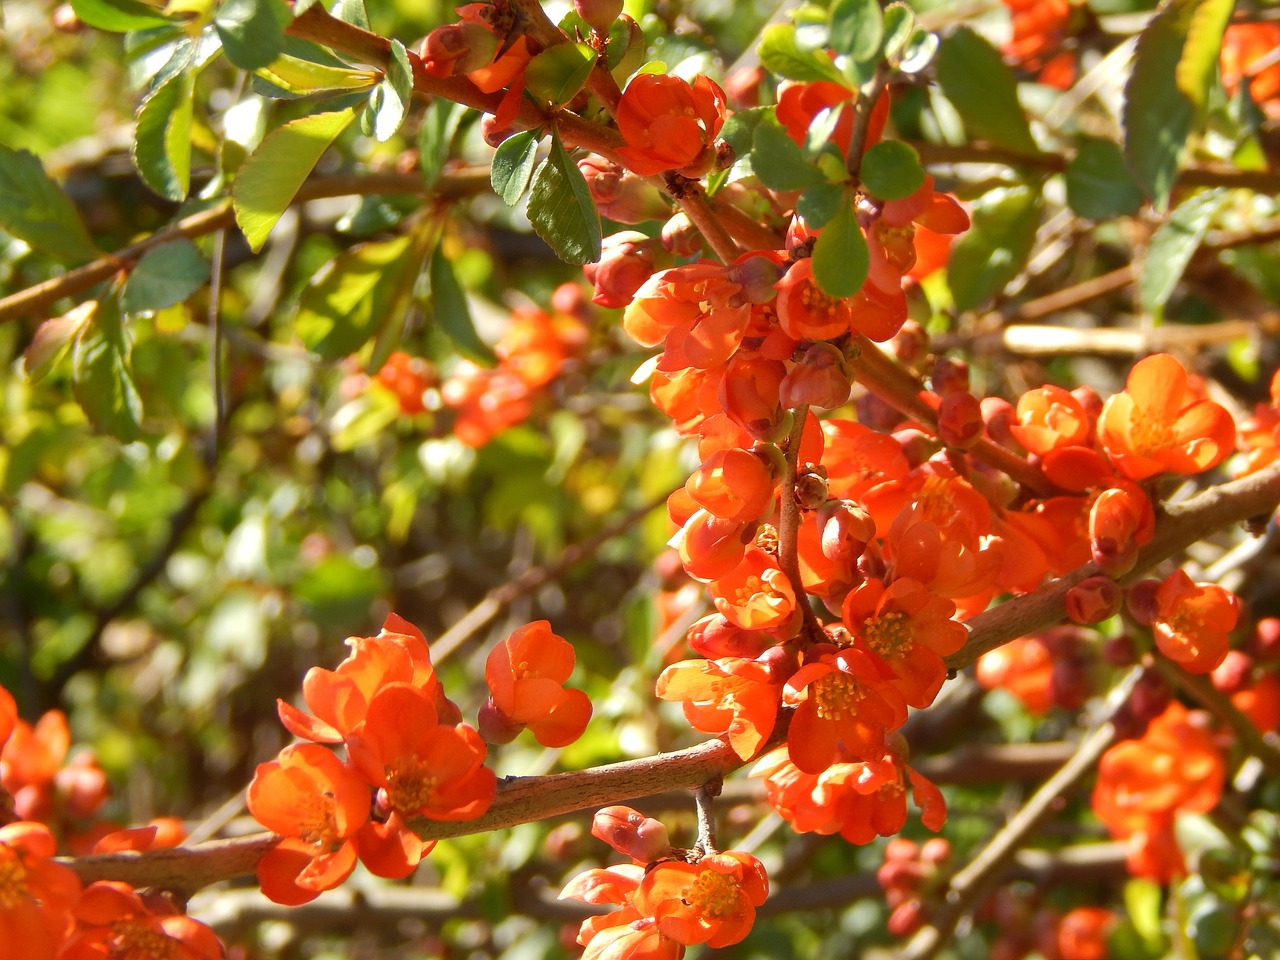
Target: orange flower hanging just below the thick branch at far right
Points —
{"points": [[1194, 621]]}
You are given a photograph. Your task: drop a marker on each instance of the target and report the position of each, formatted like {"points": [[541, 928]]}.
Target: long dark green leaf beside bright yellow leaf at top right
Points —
{"points": [[1158, 115]]}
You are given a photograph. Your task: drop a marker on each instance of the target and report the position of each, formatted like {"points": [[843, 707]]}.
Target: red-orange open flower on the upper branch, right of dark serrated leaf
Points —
{"points": [[670, 125]]}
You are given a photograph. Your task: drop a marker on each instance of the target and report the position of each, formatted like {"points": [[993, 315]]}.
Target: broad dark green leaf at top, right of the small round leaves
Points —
{"points": [[980, 85]]}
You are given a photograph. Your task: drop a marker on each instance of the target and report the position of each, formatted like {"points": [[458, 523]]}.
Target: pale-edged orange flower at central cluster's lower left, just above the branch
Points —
{"points": [[730, 697]]}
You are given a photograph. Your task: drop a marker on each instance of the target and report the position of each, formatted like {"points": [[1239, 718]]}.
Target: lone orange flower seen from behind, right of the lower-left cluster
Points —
{"points": [[525, 675]]}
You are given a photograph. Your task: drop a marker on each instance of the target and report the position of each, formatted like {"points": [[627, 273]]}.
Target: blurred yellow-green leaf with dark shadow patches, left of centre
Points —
{"points": [[356, 295]]}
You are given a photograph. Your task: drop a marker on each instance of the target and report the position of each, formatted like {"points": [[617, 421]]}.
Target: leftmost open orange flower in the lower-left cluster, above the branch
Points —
{"points": [[317, 803]]}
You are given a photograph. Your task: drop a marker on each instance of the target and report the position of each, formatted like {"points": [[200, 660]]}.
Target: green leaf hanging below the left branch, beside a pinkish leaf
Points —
{"points": [[102, 378]]}
